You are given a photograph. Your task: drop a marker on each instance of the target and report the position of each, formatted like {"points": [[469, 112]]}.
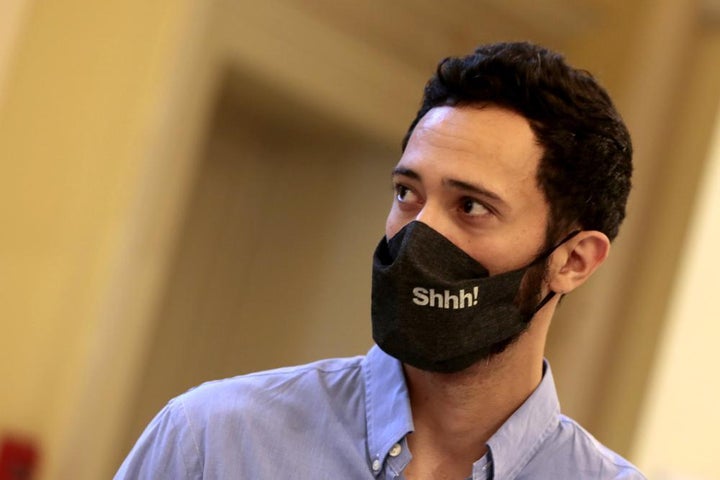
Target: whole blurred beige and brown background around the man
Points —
{"points": [[192, 189]]}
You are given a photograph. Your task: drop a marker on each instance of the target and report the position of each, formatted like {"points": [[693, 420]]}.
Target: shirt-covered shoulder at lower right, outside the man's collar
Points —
{"points": [[573, 448]]}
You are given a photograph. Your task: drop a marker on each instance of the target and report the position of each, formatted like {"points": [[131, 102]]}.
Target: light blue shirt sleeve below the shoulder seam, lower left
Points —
{"points": [[167, 449]]}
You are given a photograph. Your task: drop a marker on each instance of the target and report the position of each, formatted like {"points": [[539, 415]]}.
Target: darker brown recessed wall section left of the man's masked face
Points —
{"points": [[272, 260]]}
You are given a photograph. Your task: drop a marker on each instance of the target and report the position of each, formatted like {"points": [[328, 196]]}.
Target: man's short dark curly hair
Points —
{"points": [[587, 162]]}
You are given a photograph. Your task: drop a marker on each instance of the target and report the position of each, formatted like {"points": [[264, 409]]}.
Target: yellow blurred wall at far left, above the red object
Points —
{"points": [[85, 106]]}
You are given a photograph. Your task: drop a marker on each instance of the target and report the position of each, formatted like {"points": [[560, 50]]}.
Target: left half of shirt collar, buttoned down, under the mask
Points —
{"points": [[387, 404]]}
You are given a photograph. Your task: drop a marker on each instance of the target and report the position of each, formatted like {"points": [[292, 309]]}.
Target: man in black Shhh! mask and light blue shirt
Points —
{"points": [[512, 183]]}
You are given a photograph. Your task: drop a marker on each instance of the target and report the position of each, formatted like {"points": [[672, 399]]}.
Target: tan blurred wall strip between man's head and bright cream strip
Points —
{"points": [[668, 79]]}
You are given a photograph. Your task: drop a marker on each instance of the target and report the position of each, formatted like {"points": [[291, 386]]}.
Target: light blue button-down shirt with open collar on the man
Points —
{"points": [[346, 419]]}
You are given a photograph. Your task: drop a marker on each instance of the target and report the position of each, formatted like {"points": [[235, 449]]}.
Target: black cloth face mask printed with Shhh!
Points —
{"points": [[434, 307]]}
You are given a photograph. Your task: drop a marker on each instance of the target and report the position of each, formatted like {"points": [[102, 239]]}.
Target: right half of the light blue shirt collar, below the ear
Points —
{"points": [[519, 438]]}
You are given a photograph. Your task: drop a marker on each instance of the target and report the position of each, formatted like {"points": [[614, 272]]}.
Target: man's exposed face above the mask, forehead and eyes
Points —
{"points": [[470, 173]]}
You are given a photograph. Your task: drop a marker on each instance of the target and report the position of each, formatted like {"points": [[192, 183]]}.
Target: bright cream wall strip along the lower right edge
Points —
{"points": [[677, 434]]}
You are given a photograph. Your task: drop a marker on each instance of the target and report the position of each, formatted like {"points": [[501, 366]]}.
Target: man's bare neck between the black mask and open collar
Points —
{"points": [[456, 414]]}
